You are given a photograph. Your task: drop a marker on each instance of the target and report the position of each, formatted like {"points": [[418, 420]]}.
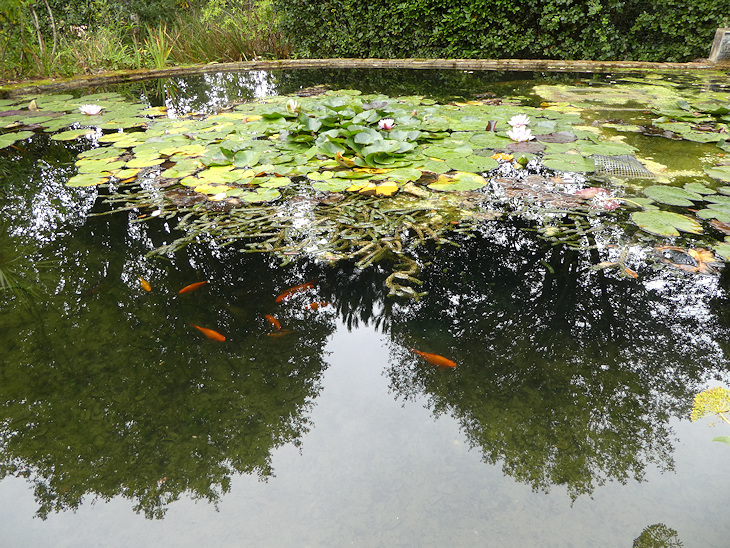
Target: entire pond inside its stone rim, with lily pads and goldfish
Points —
{"points": [[242, 412]]}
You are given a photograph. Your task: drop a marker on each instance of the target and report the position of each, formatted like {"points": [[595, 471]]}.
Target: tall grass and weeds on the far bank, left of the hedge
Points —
{"points": [[196, 36]]}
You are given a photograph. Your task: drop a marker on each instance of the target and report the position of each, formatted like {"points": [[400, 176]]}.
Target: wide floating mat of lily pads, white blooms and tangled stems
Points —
{"points": [[341, 175]]}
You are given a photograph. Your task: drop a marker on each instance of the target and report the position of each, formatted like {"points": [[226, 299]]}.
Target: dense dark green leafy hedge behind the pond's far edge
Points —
{"points": [[647, 30]]}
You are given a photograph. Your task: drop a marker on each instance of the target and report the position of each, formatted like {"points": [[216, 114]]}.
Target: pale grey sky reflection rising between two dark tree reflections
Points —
{"points": [[378, 472]]}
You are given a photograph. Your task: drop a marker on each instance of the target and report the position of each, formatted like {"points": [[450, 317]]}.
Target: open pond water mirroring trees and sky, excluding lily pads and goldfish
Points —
{"points": [[565, 422]]}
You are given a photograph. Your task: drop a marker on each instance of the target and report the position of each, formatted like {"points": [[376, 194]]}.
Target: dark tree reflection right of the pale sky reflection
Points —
{"points": [[567, 376]]}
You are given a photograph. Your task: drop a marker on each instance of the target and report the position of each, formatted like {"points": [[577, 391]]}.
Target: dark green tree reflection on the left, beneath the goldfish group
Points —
{"points": [[108, 391]]}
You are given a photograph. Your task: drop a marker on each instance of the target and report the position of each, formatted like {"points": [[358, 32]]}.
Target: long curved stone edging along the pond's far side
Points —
{"points": [[63, 84]]}
